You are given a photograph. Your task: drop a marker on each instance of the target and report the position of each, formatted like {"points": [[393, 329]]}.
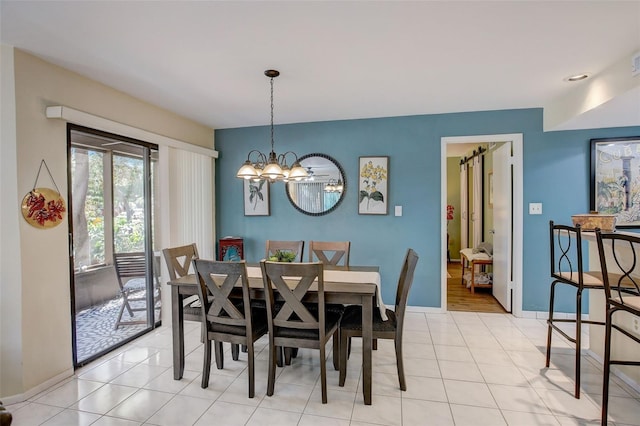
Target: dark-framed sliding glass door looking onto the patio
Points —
{"points": [[115, 288]]}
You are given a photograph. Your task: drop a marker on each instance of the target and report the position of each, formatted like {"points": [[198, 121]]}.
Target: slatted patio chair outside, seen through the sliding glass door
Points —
{"points": [[131, 272]]}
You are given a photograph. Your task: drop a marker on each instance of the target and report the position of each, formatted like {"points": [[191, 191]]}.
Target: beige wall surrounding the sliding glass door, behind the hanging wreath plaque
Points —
{"points": [[44, 326]]}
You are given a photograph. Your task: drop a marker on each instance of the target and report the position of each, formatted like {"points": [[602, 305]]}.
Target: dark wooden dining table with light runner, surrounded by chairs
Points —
{"points": [[351, 285]]}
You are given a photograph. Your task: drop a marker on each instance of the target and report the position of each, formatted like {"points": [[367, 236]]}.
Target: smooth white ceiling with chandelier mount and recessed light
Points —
{"points": [[338, 60]]}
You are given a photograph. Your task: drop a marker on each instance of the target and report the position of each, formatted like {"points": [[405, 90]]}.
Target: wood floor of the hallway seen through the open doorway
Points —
{"points": [[459, 297]]}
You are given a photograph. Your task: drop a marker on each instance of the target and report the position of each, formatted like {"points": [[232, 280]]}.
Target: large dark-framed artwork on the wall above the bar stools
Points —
{"points": [[615, 179]]}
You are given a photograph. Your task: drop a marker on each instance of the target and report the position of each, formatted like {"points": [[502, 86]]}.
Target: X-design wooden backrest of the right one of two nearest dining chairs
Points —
{"points": [[292, 281]]}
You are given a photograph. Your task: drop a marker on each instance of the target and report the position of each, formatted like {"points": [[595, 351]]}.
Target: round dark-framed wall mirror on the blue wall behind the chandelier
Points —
{"points": [[320, 192]]}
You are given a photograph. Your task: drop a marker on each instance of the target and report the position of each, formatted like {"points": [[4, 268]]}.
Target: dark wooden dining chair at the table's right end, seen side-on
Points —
{"points": [[351, 323]]}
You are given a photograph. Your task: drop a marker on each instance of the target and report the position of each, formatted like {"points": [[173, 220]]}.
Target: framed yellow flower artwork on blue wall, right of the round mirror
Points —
{"points": [[373, 185]]}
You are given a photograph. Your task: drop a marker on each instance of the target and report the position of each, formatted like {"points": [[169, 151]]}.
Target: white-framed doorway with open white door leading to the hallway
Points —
{"points": [[505, 177]]}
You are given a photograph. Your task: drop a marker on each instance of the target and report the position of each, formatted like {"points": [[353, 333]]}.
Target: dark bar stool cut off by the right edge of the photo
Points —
{"points": [[620, 265]]}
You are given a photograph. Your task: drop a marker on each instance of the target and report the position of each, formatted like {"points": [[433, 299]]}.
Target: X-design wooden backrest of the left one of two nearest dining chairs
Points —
{"points": [[219, 279]]}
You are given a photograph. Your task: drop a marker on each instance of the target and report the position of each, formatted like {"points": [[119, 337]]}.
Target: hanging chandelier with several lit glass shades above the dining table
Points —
{"points": [[274, 167]]}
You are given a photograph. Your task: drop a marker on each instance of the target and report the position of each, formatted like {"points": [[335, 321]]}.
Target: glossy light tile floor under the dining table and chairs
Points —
{"points": [[462, 369]]}
